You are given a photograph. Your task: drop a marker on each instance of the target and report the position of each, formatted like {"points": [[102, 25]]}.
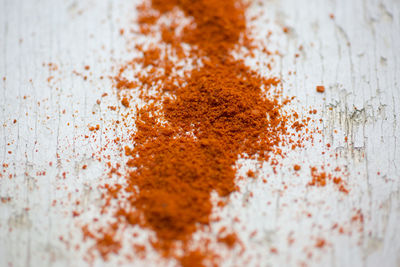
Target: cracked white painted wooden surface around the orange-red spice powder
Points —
{"points": [[356, 56]]}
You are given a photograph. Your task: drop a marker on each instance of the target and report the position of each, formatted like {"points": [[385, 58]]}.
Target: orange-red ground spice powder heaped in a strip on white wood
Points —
{"points": [[194, 125]]}
